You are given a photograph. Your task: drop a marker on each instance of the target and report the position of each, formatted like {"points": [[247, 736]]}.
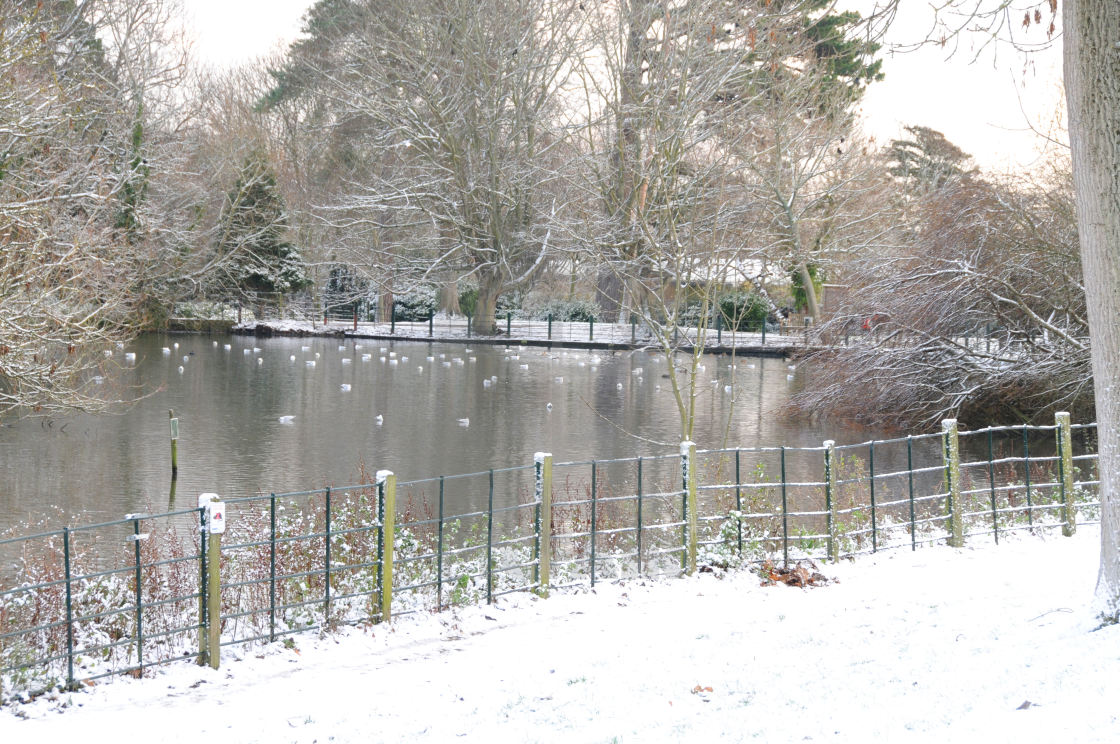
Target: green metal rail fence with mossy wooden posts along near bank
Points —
{"points": [[120, 598]]}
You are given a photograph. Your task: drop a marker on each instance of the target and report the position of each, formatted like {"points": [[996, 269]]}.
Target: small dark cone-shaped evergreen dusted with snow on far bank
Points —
{"points": [[259, 261]]}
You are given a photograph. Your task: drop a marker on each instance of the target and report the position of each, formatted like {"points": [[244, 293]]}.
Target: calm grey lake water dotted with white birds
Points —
{"points": [[236, 439]]}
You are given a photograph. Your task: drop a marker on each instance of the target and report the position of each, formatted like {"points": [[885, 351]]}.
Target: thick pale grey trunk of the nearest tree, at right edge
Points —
{"points": [[1093, 86]]}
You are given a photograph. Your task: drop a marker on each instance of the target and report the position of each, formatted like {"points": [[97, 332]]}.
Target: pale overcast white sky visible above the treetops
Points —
{"points": [[987, 107]]}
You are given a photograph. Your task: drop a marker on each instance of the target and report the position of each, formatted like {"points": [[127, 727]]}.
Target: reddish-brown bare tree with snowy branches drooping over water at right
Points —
{"points": [[978, 313]]}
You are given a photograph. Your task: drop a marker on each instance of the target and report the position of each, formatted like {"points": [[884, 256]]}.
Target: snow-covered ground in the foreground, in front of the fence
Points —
{"points": [[986, 644]]}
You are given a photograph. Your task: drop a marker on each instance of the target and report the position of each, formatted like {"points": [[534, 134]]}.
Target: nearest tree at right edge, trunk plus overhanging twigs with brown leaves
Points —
{"points": [[1093, 89]]}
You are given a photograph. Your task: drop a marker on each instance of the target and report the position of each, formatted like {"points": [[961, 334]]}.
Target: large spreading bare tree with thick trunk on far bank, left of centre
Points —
{"points": [[452, 107]]}
